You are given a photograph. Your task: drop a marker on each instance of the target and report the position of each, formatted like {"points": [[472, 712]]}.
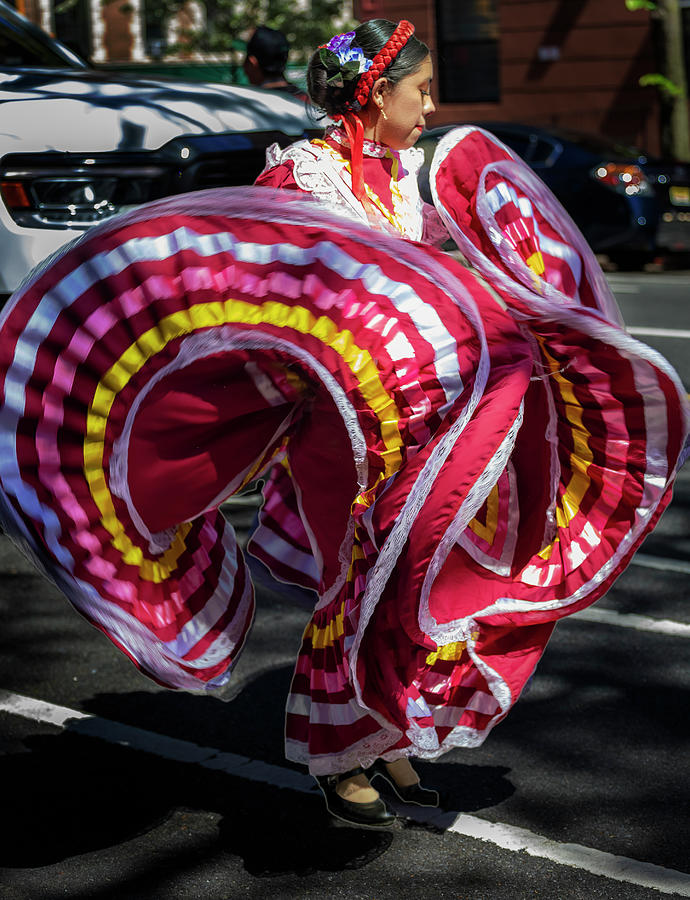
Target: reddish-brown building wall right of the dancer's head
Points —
{"points": [[569, 63]]}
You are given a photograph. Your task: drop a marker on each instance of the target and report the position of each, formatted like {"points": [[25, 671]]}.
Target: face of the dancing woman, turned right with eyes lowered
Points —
{"points": [[406, 105]]}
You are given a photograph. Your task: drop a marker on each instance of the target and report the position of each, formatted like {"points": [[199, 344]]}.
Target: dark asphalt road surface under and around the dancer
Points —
{"points": [[115, 788]]}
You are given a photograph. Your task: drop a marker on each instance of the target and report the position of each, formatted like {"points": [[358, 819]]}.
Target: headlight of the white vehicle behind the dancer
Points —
{"points": [[51, 198]]}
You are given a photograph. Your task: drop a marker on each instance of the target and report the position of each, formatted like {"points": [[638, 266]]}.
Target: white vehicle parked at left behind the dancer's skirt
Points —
{"points": [[78, 145]]}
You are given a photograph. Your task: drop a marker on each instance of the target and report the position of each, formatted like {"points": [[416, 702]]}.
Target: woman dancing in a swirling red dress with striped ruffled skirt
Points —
{"points": [[450, 467]]}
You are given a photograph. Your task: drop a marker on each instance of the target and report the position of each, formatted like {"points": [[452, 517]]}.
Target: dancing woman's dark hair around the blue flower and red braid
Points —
{"points": [[371, 36]]}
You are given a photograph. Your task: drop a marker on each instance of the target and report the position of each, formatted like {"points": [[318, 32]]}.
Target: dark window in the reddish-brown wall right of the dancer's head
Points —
{"points": [[468, 52]]}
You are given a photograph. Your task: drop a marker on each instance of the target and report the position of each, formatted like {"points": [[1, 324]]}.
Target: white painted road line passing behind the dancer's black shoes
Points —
{"points": [[508, 837]]}
